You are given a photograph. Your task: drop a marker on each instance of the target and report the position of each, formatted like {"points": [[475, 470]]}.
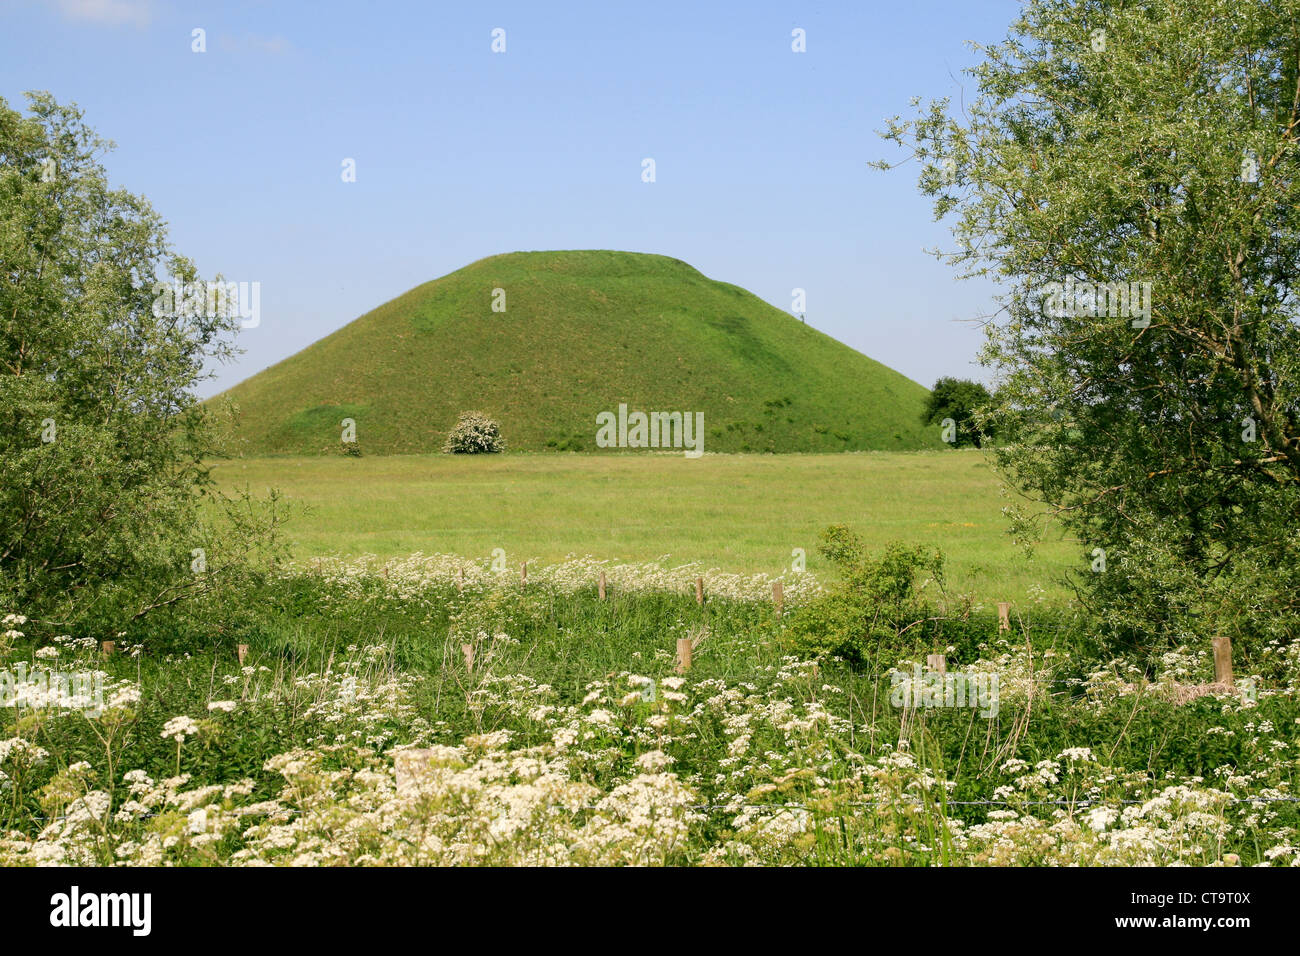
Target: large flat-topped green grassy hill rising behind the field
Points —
{"points": [[582, 334]]}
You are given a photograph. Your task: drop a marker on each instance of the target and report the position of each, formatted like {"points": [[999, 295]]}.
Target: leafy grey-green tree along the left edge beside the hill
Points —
{"points": [[101, 436]]}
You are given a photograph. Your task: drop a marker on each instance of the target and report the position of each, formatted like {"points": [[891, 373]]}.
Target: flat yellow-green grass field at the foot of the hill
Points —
{"points": [[738, 513]]}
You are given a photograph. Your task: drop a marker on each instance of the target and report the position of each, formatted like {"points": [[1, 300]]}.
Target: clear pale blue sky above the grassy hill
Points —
{"points": [[761, 154]]}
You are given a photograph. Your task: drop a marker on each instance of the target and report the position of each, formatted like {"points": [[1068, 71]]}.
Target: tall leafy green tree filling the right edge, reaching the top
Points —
{"points": [[1119, 145]]}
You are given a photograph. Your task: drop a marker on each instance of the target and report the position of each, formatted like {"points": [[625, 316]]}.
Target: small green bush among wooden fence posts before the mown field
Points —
{"points": [[876, 602]]}
